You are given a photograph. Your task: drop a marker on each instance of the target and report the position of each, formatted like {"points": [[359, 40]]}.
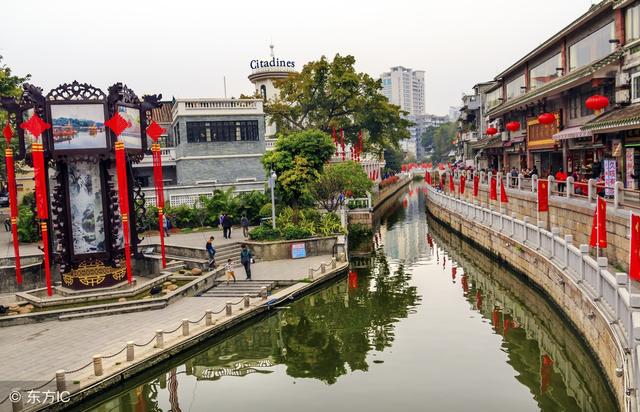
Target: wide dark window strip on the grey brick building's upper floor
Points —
{"points": [[226, 131]]}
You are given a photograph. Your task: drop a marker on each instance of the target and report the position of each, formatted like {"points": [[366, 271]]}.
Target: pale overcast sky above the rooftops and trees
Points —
{"points": [[190, 45]]}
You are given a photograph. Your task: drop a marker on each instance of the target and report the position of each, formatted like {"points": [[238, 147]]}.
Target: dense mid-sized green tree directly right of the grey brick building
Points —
{"points": [[298, 159]]}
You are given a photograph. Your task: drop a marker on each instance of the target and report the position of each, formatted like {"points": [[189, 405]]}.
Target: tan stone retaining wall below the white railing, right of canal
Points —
{"points": [[579, 309]]}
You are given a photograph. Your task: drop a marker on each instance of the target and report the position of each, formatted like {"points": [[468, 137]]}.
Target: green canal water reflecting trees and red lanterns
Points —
{"points": [[424, 322]]}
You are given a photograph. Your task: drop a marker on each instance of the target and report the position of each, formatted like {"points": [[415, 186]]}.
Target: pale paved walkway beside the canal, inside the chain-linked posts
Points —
{"points": [[36, 351]]}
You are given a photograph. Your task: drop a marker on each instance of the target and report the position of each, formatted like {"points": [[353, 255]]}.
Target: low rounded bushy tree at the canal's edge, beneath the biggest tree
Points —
{"points": [[337, 179]]}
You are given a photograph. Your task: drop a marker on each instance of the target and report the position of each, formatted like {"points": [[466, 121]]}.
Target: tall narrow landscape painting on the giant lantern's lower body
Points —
{"points": [[87, 219]]}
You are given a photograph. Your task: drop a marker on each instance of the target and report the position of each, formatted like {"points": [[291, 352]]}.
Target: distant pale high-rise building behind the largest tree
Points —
{"points": [[405, 88]]}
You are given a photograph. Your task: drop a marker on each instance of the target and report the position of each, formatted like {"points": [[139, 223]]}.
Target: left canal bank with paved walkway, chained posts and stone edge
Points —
{"points": [[128, 344]]}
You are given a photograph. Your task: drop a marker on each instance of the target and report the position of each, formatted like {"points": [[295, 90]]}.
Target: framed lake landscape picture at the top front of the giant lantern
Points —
{"points": [[78, 126]]}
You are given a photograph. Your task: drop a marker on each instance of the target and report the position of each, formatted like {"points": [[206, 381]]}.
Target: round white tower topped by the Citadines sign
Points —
{"points": [[263, 75]]}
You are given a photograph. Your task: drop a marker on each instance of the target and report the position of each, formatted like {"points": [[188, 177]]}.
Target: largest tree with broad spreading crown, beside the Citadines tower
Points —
{"points": [[328, 94]]}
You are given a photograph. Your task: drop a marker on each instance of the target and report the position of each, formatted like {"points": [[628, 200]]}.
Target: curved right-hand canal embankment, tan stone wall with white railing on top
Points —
{"points": [[595, 301]]}
